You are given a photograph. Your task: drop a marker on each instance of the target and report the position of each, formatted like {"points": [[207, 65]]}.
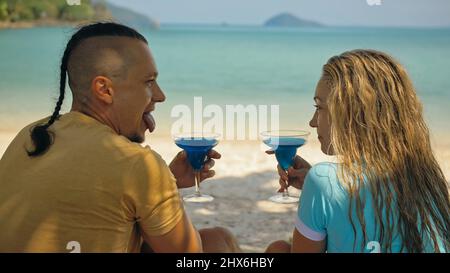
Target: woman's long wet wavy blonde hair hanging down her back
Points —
{"points": [[378, 132]]}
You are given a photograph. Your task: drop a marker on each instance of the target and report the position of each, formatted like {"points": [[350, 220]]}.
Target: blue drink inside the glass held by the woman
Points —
{"points": [[285, 149]]}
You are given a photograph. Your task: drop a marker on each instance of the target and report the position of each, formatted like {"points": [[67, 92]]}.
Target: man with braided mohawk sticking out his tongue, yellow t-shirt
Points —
{"points": [[82, 179]]}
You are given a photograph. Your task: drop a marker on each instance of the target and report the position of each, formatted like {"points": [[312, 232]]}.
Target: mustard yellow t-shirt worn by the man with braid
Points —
{"points": [[93, 188]]}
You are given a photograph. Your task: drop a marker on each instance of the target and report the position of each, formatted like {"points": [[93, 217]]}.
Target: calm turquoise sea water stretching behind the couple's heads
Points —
{"points": [[235, 65]]}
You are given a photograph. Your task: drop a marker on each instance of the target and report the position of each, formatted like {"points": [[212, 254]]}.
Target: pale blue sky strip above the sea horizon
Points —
{"points": [[409, 13]]}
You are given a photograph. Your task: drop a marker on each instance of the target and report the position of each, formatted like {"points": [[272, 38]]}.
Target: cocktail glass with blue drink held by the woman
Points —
{"points": [[285, 144]]}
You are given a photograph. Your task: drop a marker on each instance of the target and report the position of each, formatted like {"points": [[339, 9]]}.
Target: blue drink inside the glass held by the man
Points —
{"points": [[196, 149]]}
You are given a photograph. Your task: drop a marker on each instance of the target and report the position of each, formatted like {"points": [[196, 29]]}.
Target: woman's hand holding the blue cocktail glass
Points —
{"points": [[295, 175]]}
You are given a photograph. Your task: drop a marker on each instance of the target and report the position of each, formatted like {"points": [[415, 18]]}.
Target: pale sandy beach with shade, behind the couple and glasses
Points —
{"points": [[245, 178]]}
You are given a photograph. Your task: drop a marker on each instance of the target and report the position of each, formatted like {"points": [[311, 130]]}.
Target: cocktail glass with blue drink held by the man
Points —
{"points": [[197, 146]]}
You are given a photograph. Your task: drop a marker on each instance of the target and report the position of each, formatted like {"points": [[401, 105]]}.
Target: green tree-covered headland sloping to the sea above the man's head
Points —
{"points": [[33, 13]]}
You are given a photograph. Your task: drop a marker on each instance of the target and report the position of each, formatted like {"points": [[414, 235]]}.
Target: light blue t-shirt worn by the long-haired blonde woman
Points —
{"points": [[323, 213]]}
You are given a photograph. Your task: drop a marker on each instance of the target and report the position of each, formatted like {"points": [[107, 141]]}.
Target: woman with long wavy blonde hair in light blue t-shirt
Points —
{"points": [[388, 193]]}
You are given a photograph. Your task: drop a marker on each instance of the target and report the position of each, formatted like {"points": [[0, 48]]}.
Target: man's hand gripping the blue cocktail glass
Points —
{"points": [[183, 172]]}
